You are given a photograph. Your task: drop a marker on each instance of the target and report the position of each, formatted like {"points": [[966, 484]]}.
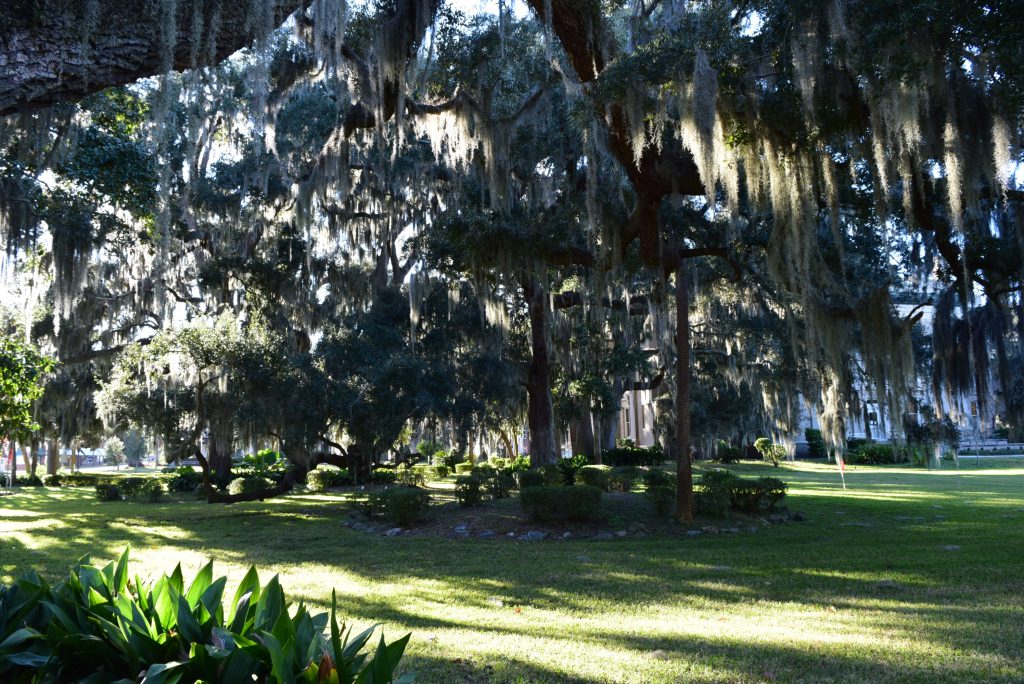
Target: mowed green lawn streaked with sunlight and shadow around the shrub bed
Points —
{"points": [[908, 576]]}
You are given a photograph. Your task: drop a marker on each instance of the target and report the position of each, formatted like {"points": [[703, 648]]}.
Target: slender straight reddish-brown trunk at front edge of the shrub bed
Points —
{"points": [[685, 467]]}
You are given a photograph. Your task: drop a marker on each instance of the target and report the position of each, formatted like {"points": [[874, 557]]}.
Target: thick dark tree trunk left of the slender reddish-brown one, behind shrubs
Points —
{"points": [[540, 411]]}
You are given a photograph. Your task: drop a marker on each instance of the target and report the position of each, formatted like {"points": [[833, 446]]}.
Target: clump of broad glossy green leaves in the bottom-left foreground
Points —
{"points": [[101, 626]]}
